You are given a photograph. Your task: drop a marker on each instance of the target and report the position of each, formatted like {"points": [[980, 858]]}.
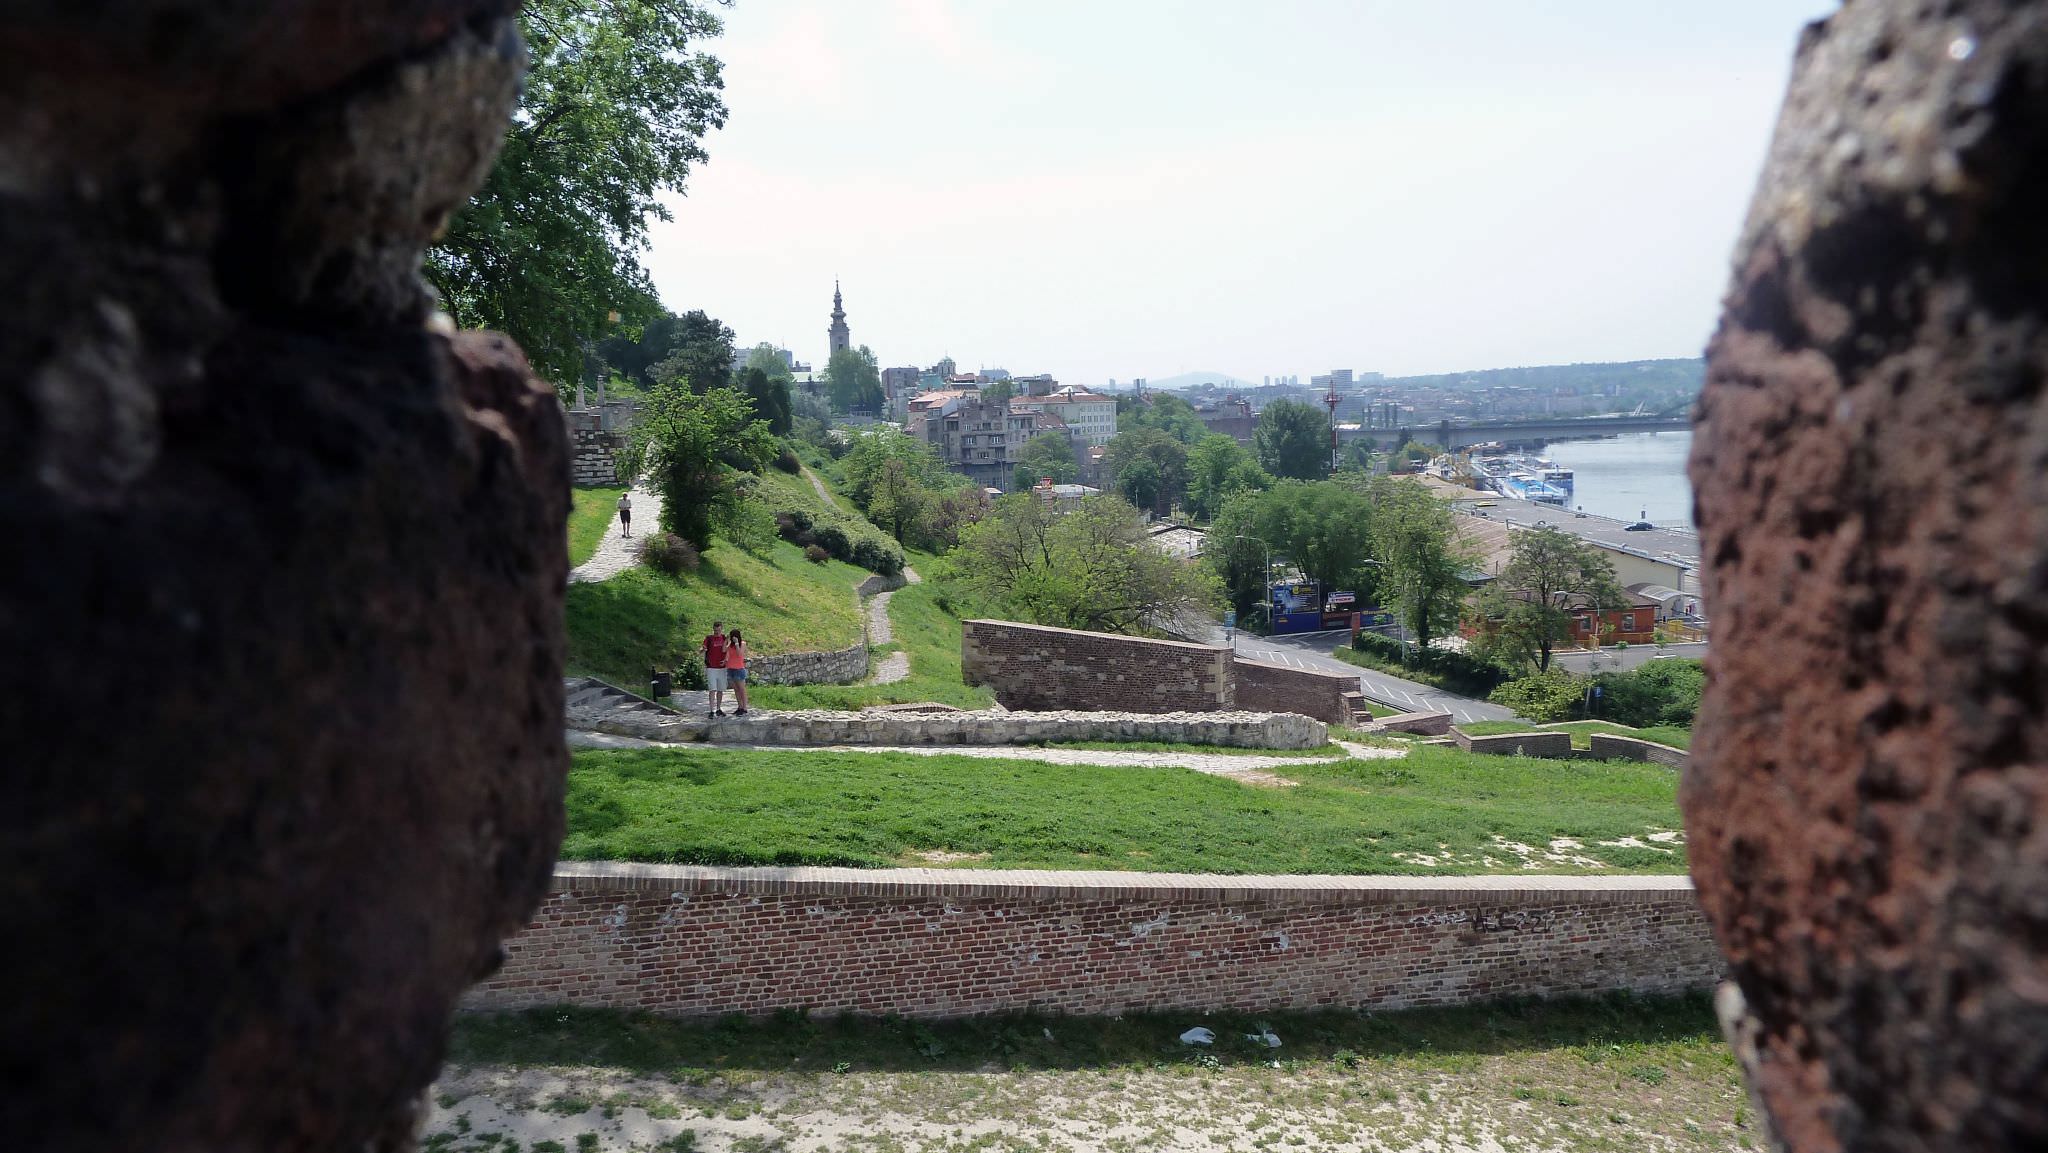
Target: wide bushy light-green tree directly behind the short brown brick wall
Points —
{"points": [[1089, 568]]}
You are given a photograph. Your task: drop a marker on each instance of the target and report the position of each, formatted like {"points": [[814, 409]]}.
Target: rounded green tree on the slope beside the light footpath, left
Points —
{"points": [[693, 450]]}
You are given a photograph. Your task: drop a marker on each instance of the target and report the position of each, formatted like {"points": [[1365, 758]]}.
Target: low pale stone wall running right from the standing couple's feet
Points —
{"points": [[996, 728]]}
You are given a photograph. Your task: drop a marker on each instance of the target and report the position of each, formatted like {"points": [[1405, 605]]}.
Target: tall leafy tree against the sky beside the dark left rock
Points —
{"points": [[613, 114]]}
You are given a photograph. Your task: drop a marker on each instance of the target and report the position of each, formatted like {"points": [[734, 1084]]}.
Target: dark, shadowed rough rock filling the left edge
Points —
{"points": [[269, 533]]}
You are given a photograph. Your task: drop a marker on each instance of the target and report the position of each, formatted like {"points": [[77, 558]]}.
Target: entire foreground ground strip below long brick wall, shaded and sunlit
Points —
{"points": [[1603, 1074]]}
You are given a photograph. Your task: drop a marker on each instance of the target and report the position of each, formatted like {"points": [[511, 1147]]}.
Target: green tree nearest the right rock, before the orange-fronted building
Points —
{"points": [[1549, 579]]}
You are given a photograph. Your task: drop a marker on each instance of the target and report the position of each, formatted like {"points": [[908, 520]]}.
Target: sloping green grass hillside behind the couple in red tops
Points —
{"points": [[638, 620]]}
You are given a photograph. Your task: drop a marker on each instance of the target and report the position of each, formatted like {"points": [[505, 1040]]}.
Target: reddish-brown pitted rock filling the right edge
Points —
{"points": [[1869, 789]]}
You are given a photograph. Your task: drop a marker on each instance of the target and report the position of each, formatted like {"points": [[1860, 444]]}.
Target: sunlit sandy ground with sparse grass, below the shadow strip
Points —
{"points": [[1486, 1105]]}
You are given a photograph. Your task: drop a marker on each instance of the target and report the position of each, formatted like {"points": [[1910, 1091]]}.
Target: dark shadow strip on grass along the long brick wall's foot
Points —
{"points": [[665, 1048]]}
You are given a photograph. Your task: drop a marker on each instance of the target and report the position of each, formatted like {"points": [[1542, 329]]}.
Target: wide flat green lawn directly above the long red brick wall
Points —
{"points": [[1435, 812]]}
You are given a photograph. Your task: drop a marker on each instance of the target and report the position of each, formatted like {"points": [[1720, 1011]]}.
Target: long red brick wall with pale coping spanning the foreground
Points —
{"points": [[939, 943]]}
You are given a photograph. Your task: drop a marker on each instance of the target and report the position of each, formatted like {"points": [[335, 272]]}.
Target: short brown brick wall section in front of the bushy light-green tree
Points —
{"points": [[1031, 667]]}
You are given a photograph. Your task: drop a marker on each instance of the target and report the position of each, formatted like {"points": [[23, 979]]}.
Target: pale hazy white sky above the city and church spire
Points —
{"points": [[1148, 187]]}
